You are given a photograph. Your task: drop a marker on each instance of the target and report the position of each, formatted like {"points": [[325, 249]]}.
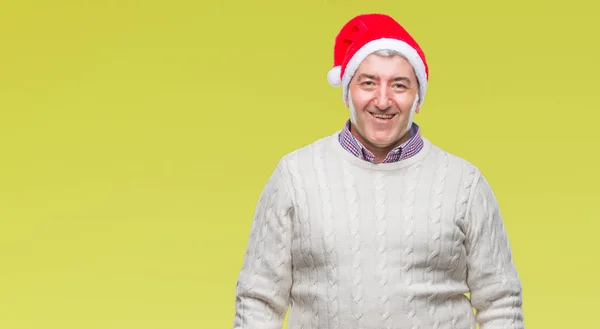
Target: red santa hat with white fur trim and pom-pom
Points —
{"points": [[366, 34]]}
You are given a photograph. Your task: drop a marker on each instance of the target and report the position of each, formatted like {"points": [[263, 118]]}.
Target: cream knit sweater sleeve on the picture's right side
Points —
{"points": [[494, 284]]}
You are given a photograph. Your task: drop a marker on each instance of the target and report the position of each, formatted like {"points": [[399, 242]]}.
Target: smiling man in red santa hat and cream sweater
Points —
{"points": [[375, 227]]}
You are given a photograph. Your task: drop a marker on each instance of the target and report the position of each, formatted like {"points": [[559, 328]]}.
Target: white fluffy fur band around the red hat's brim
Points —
{"points": [[392, 44]]}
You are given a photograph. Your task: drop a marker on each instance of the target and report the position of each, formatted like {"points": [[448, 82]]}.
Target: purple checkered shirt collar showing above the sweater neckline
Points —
{"points": [[401, 152]]}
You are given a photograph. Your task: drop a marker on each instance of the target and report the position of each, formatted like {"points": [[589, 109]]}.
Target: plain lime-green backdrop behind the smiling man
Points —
{"points": [[135, 137]]}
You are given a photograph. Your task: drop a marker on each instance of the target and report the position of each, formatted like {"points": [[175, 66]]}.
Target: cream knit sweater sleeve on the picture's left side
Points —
{"points": [[264, 282]]}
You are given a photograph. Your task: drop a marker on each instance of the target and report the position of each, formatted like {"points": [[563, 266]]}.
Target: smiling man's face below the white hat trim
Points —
{"points": [[382, 99]]}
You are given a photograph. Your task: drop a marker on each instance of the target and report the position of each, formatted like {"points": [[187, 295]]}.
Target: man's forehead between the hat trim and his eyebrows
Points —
{"points": [[386, 66]]}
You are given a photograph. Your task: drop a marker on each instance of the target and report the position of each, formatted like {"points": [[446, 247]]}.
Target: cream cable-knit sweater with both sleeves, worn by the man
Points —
{"points": [[353, 245]]}
